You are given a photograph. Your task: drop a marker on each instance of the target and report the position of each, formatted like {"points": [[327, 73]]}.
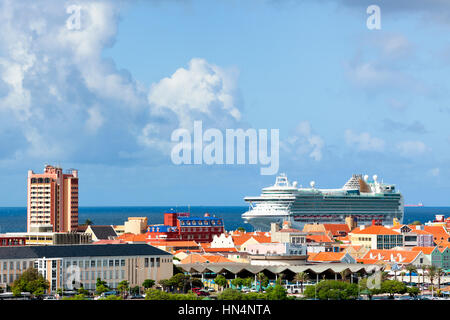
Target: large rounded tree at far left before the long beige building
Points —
{"points": [[30, 281]]}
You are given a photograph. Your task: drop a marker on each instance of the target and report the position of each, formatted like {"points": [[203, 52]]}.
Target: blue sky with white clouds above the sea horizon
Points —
{"points": [[105, 98]]}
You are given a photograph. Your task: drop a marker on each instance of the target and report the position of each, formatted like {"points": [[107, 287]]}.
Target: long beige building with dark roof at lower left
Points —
{"points": [[83, 264]]}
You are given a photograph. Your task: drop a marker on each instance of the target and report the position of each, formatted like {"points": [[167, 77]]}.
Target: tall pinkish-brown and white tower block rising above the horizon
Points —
{"points": [[52, 200]]}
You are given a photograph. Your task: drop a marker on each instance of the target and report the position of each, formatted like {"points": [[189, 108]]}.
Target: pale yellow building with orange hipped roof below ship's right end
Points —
{"points": [[376, 237]]}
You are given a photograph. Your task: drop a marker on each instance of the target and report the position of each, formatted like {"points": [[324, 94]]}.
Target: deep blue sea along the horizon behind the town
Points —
{"points": [[15, 219]]}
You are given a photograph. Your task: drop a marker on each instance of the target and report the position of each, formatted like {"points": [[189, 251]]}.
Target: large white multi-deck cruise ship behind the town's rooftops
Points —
{"points": [[363, 199]]}
